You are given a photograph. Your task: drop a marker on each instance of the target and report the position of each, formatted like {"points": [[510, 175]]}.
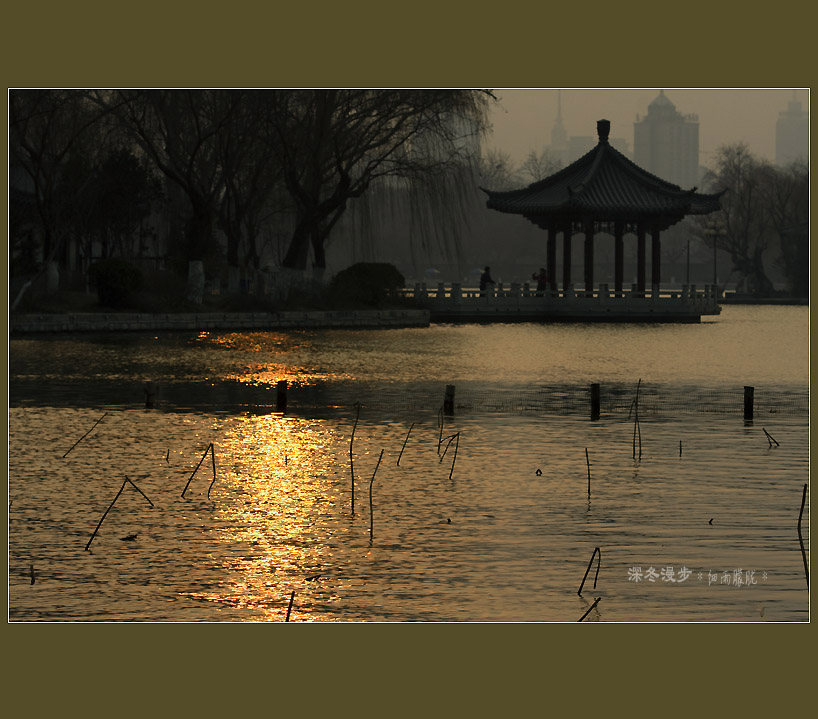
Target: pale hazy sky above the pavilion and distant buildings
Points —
{"points": [[523, 118]]}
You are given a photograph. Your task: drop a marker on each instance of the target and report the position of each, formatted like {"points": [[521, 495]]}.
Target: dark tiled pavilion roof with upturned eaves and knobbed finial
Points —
{"points": [[603, 185]]}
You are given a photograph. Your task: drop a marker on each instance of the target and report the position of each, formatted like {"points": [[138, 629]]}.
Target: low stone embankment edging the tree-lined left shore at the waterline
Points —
{"points": [[199, 321]]}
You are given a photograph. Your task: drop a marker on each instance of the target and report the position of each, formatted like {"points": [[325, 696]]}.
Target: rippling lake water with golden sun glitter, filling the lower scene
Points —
{"points": [[701, 527]]}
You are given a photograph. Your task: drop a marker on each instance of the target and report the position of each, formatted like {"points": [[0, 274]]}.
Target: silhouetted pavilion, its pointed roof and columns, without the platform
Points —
{"points": [[603, 191]]}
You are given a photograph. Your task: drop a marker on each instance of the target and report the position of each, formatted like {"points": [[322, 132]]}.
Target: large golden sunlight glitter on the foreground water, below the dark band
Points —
{"points": [[277, 513]]}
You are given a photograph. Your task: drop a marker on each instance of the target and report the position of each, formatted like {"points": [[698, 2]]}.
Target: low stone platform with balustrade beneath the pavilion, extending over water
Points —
{"points": [[520, 304]]}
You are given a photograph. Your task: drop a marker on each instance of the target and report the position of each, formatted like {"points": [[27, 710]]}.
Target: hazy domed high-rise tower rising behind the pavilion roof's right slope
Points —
{"points": [[666, 143]]}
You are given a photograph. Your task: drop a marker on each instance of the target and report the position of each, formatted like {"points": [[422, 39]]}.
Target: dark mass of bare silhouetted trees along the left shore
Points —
{"points": [[92, 165]]}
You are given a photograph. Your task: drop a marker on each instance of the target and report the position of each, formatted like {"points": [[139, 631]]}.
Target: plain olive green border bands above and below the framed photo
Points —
{"points": [[406, 670]]}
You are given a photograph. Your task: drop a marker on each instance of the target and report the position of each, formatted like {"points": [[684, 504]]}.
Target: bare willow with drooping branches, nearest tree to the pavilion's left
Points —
{"points": [[332, 145]]}
